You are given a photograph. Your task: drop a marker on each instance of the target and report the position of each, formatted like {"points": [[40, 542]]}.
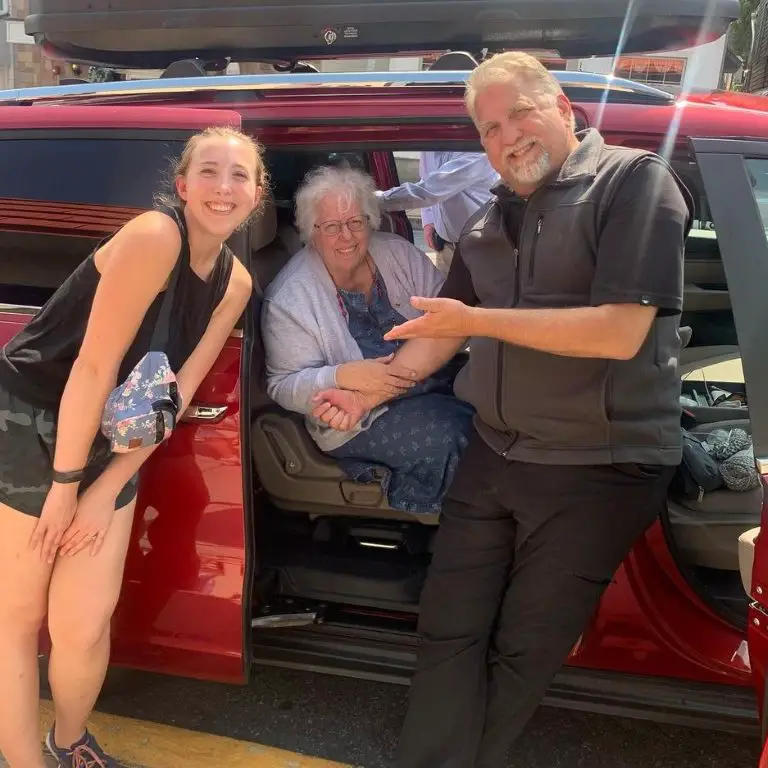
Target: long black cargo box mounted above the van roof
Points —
{"points": [[155, 33]]}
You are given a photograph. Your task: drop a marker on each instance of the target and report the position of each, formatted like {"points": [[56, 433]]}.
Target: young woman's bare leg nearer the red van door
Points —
{"points": [[82, 598]]}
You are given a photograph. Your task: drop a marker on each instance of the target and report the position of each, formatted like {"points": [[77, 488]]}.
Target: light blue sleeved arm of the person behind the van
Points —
{"points": [[464, 170]]}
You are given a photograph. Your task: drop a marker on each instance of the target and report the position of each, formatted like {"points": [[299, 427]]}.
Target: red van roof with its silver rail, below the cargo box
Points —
{"points": [[612, 104]]}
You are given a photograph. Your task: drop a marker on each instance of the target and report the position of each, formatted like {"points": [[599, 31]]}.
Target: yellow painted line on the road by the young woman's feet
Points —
{"points": [[148, 745]]}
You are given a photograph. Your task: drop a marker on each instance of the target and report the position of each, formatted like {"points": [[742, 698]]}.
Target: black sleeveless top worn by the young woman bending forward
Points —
{"points": [[35, 364]]}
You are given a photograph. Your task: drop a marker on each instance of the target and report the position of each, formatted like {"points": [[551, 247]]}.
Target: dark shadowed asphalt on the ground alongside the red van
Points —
{"points": [[356, 722]]}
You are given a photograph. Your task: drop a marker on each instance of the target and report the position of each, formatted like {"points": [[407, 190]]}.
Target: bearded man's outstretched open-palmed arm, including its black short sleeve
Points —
{"points": [[638, 275]]}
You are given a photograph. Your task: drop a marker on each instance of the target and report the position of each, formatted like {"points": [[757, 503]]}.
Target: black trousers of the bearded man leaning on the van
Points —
{"points": [[522, 556]]}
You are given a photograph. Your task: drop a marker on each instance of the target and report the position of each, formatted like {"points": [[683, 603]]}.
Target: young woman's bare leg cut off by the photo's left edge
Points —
{"points": [[24, 580]]}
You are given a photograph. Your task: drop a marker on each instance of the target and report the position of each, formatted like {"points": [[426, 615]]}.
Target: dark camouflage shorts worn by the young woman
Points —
{"points": [[27, 442]]}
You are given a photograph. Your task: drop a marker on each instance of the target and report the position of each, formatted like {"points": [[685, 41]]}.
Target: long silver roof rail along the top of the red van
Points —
{"points": [[579, 86]]}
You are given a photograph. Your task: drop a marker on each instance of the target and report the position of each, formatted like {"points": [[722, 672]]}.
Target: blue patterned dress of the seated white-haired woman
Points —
{"points": [[415, 446]]}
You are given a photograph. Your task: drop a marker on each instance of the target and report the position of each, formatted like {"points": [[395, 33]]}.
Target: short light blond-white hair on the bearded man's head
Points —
{"points": [[513, 67]]}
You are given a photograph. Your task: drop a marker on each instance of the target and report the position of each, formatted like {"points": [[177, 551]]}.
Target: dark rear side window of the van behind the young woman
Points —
{"points": [[63, 191]]}
